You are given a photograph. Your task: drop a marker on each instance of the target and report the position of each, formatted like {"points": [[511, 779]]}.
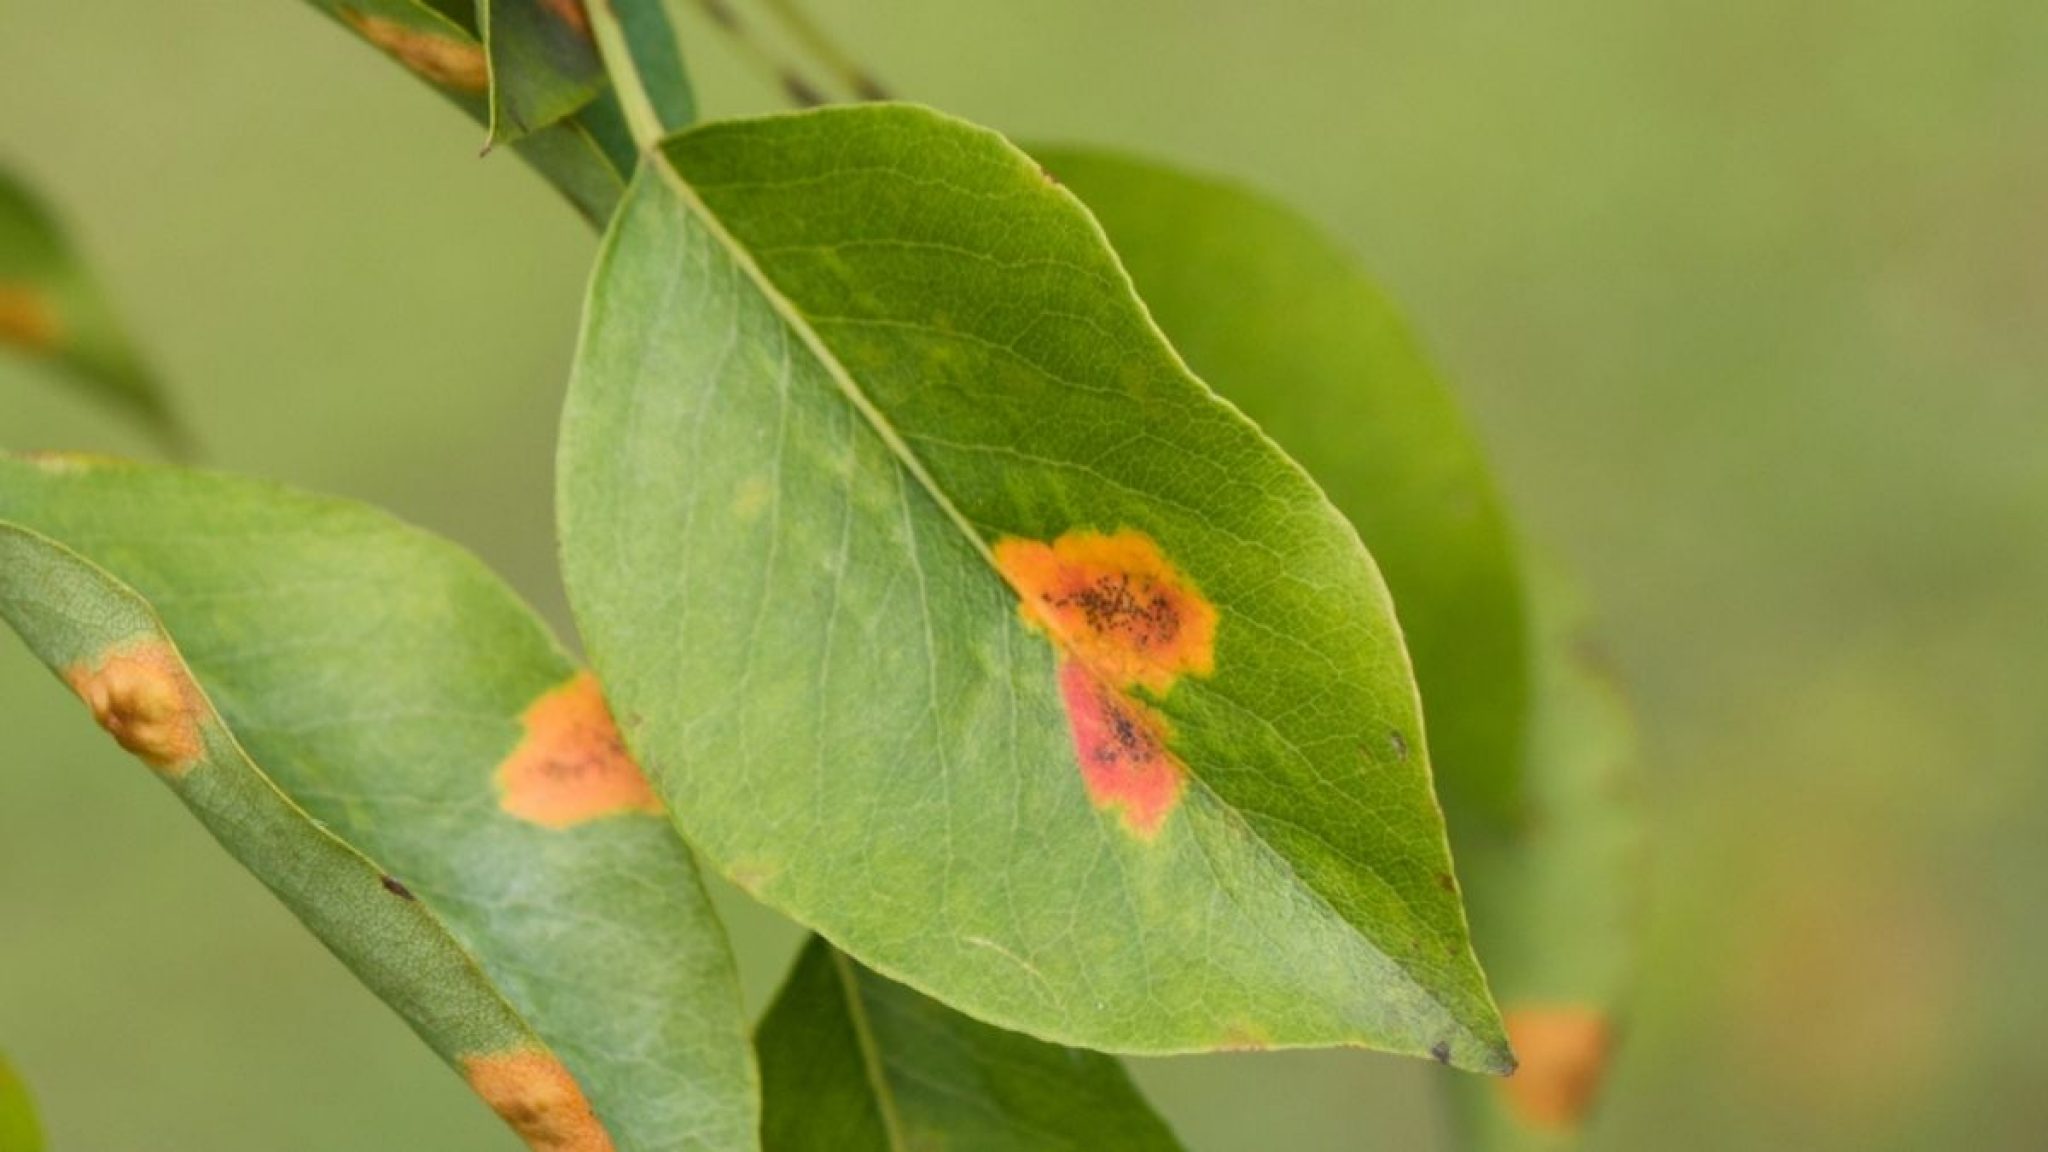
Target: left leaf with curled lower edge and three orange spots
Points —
{"points": [[390, 741]]}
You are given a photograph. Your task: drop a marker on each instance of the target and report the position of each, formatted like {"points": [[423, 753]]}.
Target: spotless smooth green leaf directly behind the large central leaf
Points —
{"points": [[1283, 323]]}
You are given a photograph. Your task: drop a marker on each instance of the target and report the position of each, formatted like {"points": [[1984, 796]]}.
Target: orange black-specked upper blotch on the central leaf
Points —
{"points": [[1115, 604]]}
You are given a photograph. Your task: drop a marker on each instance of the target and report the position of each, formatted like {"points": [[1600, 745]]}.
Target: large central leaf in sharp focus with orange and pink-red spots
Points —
{"points": [[871, 468]]}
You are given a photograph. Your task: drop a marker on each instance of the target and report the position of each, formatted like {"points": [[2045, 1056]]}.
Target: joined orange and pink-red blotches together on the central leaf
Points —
{"points": [[1123, 618]]}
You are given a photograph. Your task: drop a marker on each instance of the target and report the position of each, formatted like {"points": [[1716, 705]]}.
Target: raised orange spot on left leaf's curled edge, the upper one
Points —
{"points": [[148, 702]]}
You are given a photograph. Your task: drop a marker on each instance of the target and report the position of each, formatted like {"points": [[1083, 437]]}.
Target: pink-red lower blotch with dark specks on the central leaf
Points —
{"points": [[1121, 747]]}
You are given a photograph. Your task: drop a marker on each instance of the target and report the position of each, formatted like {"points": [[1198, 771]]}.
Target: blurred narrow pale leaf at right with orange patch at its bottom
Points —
{"points": [[1560, 903]]}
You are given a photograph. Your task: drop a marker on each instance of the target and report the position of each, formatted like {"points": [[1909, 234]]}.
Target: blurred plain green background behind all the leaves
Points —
{"points": [[1750, 302]]}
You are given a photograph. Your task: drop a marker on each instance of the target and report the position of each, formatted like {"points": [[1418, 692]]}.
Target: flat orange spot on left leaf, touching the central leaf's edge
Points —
{"points": [[572, 766]]}
